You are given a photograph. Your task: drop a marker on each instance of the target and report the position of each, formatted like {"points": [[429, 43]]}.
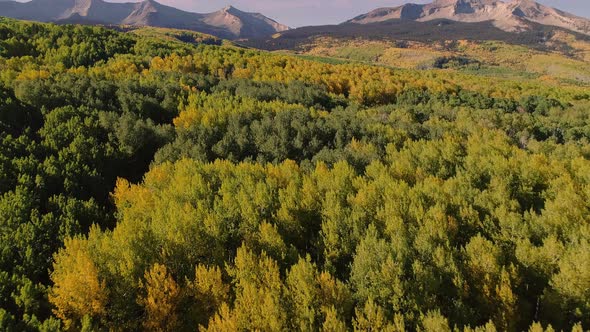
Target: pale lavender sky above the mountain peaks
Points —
{"points": [[297, 13]]}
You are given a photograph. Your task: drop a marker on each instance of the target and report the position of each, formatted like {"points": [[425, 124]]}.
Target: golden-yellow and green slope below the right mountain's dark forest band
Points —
{"points": [[495, 58]]}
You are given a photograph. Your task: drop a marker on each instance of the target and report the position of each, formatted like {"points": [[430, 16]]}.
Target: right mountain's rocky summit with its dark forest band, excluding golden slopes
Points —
{"points": [[517, 22]]}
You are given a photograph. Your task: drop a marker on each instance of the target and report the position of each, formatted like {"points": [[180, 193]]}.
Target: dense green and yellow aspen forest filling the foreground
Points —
{"points": [[150, 181]]}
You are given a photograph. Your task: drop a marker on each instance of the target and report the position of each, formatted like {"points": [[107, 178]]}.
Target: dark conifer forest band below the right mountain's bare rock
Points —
{"points": [[543, 37]]}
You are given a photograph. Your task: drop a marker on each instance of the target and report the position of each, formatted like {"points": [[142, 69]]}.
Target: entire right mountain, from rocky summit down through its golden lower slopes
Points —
{"points": [[531, 41]]}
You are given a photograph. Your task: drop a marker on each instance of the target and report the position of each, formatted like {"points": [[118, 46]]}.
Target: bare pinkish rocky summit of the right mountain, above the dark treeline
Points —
{"points": [[512, 16]]}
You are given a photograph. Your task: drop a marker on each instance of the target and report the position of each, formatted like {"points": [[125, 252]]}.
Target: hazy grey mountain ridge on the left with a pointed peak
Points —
{"points": [[229, 22]]}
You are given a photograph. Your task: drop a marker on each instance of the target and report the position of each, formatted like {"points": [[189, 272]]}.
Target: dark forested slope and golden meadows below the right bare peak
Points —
{"points": [[549, 52]]}
